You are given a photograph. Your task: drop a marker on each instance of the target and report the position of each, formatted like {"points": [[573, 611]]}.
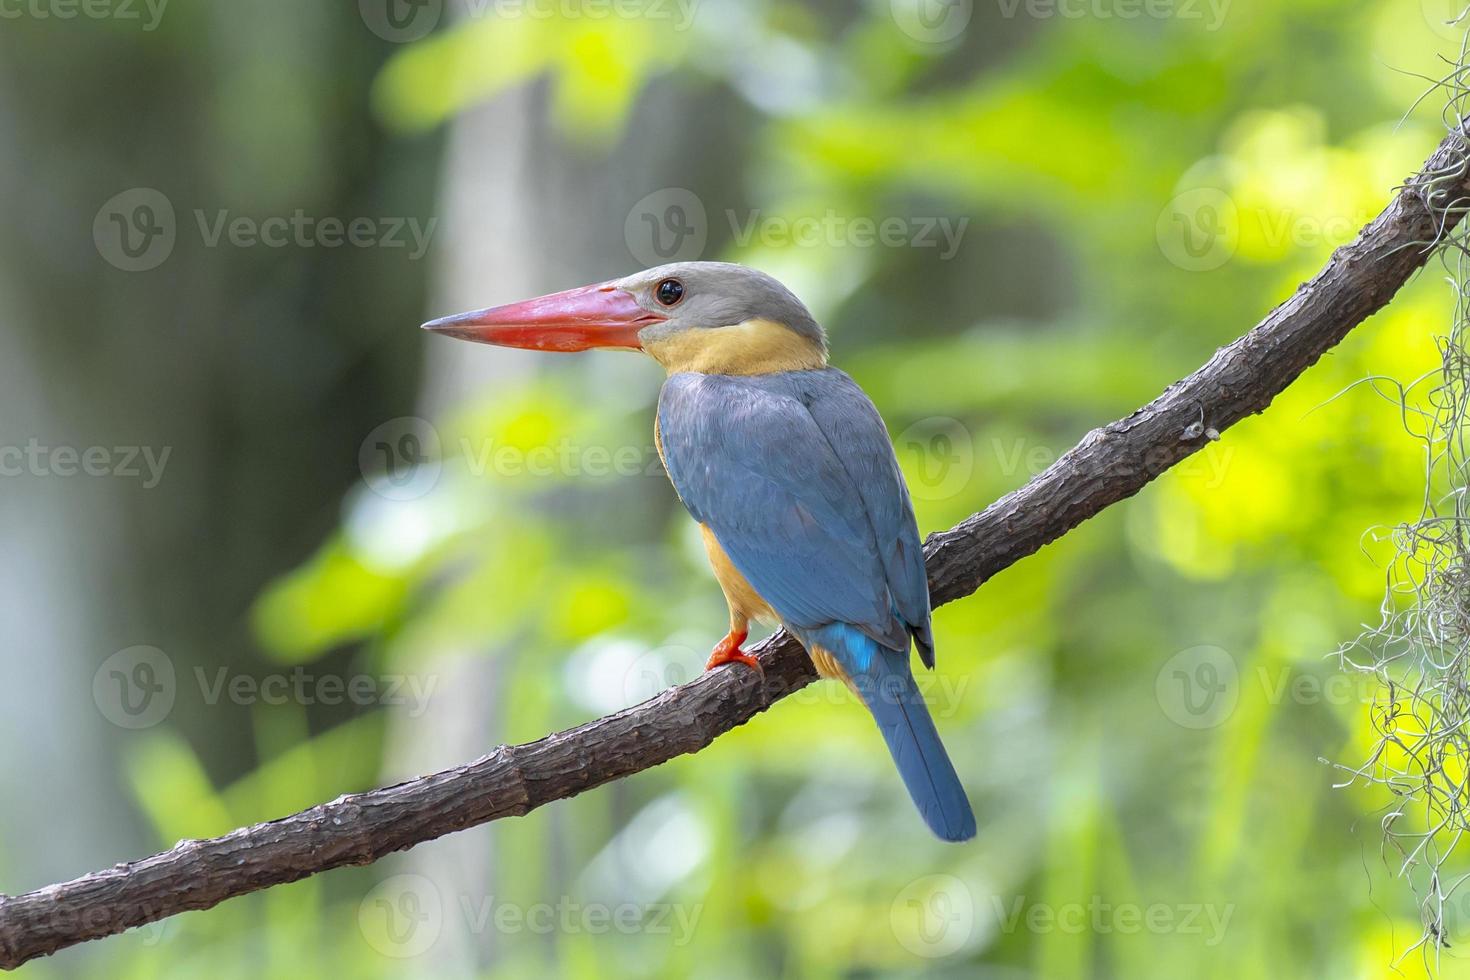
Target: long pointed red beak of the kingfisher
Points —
{"points": [[578, 320]]}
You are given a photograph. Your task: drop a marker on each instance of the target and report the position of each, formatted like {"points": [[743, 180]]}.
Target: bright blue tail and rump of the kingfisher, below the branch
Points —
{"points": [[886, 684]]}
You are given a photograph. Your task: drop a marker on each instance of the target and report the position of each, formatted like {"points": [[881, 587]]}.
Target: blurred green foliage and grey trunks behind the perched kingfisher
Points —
{"points": [[265, 543]]}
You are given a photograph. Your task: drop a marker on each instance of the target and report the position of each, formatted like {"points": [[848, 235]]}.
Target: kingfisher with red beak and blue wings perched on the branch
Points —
{"points": [[789, 471]]}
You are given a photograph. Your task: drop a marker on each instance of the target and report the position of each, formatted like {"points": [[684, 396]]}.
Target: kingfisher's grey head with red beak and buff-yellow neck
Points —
{"points": [[705, 317]]}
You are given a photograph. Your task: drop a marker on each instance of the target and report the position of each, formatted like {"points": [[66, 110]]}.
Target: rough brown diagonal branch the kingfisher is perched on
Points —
{"points": [[1109, 465]]}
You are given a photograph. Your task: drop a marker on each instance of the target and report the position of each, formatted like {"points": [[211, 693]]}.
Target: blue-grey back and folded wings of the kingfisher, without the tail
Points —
{"points": [[796, 477]]}
